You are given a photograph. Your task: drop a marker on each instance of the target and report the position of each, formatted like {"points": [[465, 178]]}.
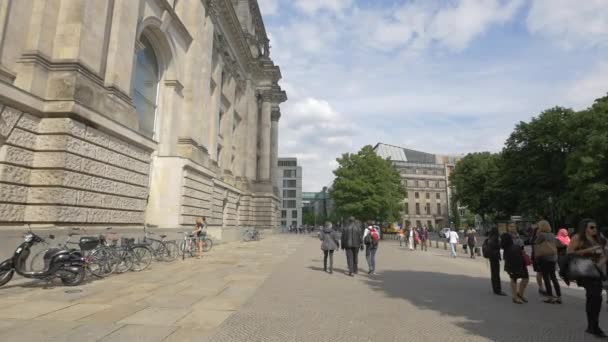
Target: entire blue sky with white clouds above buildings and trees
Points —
{"points": [[441, 76]]}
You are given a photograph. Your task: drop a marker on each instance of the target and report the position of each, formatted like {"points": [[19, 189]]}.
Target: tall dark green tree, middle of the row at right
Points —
{"points": [[534, 164]]}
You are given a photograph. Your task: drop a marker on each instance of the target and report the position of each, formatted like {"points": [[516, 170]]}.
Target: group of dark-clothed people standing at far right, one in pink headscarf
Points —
{"points": [[581, 258]]}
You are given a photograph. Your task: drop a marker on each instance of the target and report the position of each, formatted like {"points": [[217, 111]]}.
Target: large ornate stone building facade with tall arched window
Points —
{"points": [[125, 112]]}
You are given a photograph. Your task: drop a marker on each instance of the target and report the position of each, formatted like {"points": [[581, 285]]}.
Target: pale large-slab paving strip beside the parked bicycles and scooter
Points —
{"points": [[180, 301]]}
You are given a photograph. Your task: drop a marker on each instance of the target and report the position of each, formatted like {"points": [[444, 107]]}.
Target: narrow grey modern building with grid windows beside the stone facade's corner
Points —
{"points": [[289, 181]]}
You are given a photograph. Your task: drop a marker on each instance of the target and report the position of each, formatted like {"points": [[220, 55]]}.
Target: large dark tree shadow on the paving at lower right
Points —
{"points": [[472, 307]]}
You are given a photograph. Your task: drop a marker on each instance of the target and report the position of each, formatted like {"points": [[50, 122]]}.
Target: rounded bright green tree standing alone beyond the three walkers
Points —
{"points": [[367, 187]]}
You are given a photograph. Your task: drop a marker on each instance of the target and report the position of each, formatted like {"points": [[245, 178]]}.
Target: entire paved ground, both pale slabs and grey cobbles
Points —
{"points": [[275, 290]]}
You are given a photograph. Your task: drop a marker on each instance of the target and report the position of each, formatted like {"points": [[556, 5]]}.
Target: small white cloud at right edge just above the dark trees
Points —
{"points": [[589, 88]]}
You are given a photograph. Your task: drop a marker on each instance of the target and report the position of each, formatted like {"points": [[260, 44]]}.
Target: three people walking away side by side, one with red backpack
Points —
{"points": [[352, 240]]}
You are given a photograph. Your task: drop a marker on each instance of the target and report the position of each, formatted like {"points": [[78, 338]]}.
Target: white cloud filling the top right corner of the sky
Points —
{"points": [[569, 22]]}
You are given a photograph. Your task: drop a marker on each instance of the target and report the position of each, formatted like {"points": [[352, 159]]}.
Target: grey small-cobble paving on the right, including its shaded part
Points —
{"points": [[416, 296]]}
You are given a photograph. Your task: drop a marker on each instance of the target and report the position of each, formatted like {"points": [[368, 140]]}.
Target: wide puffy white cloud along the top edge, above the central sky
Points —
{"points": [[418, 24]]}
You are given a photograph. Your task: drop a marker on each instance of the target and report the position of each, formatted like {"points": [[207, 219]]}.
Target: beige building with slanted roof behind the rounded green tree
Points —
{"points": [[425, 177]]}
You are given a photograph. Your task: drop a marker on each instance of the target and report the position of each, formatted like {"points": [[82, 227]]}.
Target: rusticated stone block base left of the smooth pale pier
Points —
{"points": [[58, 170]]}
